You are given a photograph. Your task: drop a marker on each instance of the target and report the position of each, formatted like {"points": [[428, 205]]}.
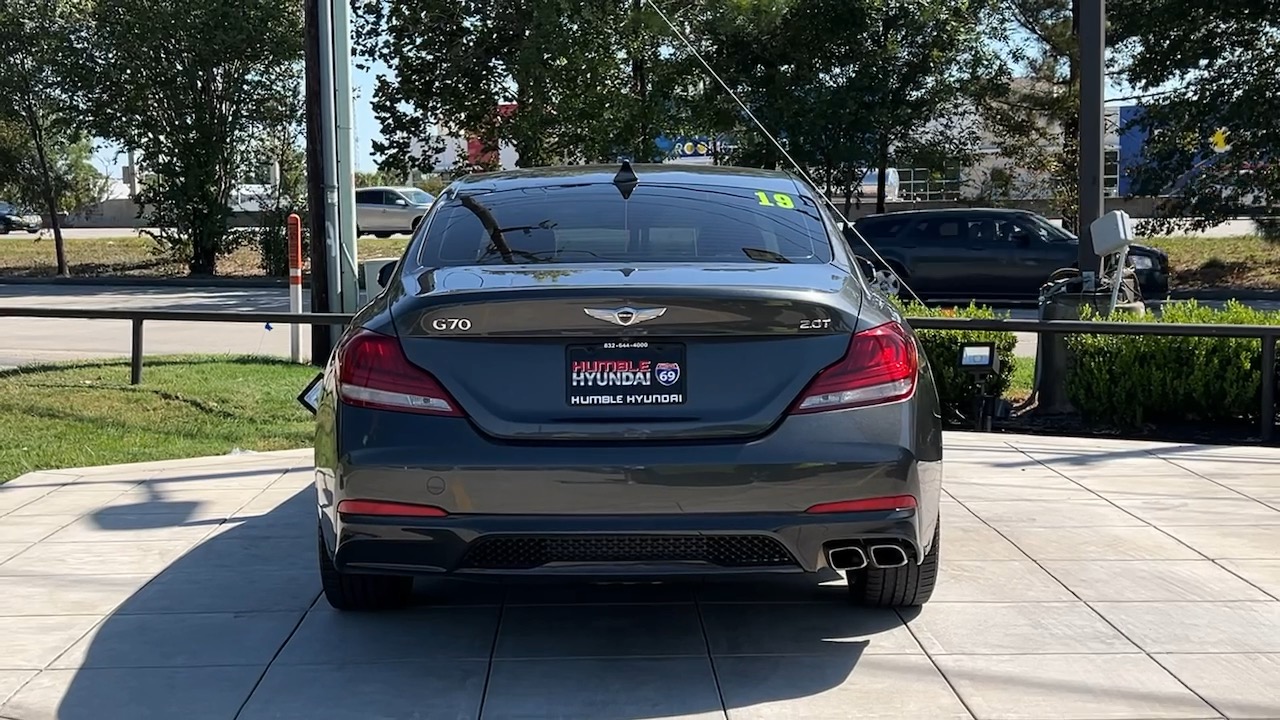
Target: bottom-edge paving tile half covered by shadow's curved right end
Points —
{"points": [[821, 689]]}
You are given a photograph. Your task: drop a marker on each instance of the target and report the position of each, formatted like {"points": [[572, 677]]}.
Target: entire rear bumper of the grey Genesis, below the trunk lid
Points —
{"points": [[628, 509]]}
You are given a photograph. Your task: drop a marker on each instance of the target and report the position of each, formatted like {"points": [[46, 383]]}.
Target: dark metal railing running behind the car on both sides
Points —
{"points": [[1268, 335]]}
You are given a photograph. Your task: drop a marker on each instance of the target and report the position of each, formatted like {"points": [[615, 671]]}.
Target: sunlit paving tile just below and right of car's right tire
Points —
{"points": [[1022, 628]]}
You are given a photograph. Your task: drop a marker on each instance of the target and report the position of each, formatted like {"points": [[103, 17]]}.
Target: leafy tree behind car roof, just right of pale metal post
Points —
{"points": [[587, 83]]}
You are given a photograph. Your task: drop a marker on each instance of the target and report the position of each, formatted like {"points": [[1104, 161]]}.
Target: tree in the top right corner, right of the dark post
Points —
{"points": [[1213, 113]]}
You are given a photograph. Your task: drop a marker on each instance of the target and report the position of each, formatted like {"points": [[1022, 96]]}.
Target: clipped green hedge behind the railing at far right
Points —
{"points": [[1133, 380]]}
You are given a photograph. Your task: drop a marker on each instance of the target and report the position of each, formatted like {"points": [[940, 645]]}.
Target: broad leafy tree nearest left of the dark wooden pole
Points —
{"points": [[193, 86]]}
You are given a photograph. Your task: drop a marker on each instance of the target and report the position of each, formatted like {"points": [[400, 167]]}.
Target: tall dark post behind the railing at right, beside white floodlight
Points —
{"points": [[1094, 83]]}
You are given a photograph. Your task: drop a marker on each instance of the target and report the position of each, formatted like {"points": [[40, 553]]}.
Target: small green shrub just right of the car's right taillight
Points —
{"points": [[943, 348]]}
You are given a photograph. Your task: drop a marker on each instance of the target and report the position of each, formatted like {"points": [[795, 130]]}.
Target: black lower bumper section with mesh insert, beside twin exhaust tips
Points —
{"points": [[619, 545]]}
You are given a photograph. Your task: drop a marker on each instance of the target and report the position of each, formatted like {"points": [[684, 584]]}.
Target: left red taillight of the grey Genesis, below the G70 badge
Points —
{"points": [[373, 372]]}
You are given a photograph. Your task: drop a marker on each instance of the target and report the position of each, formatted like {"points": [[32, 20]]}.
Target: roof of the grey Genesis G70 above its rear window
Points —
{"points": [[707, 176]]}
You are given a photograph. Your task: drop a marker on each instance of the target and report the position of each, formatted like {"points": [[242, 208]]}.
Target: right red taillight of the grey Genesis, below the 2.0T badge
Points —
{"points": [[881, 367]]}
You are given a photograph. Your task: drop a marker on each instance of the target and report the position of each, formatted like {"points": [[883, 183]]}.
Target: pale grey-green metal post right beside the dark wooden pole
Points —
{"points": [[346, 154]]}
